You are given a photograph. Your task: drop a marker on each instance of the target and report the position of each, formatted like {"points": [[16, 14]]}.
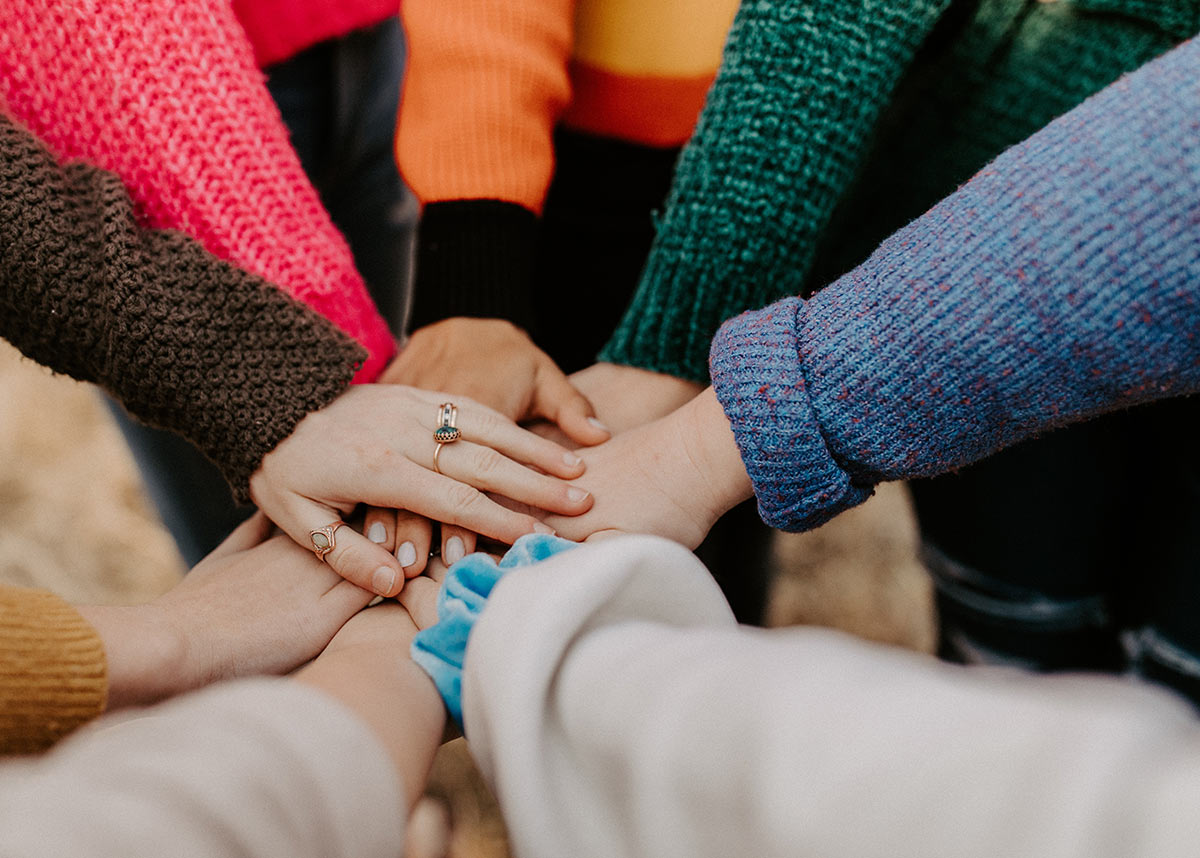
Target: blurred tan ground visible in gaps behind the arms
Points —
{"points": [[74, 520]]}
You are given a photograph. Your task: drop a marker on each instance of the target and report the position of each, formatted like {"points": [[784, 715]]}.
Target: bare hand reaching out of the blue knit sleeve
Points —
{"points": [[674, 478]]}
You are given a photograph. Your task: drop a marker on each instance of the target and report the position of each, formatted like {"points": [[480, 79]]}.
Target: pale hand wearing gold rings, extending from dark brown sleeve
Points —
{"points": [[375, 446]]}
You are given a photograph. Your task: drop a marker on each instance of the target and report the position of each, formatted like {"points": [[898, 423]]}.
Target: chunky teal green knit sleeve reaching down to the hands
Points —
{"points": [[785, 128]]}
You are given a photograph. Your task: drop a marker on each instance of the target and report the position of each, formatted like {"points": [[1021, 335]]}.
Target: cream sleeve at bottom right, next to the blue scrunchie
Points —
{"points": [[619, 711]]}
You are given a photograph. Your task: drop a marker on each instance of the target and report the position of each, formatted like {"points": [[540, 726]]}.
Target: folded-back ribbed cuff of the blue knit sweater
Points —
{"points": [[759, 379]]}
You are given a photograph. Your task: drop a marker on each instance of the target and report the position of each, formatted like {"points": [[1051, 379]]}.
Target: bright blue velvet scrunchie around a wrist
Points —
{"points": [[442, 649]]}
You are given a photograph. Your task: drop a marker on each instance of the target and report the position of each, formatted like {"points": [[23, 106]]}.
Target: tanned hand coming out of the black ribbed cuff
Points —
{"points": [[495, 363]]}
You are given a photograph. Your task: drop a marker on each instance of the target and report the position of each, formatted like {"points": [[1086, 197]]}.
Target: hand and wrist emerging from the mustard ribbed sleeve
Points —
{"points": [[255, 605]]}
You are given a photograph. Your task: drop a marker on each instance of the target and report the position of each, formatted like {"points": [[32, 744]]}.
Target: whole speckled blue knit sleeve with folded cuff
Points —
{"points": [[1060, 283]]}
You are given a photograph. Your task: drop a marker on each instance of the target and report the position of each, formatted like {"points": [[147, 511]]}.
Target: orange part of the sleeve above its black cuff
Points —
{"points": [[487, 83]]}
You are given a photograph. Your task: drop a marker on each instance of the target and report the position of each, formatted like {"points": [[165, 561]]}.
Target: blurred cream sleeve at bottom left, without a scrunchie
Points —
{"points": [[261, 769]]}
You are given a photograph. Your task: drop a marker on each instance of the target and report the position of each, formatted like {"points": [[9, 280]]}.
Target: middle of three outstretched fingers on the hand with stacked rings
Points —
{"points": [[485, 469]]}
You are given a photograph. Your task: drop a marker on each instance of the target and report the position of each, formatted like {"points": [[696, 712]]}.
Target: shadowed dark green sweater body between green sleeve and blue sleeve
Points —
{"points": [[988, 83]]}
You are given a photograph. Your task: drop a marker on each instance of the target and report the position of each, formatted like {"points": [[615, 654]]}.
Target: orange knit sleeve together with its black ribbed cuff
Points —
{"points": [[485, 87]]}
